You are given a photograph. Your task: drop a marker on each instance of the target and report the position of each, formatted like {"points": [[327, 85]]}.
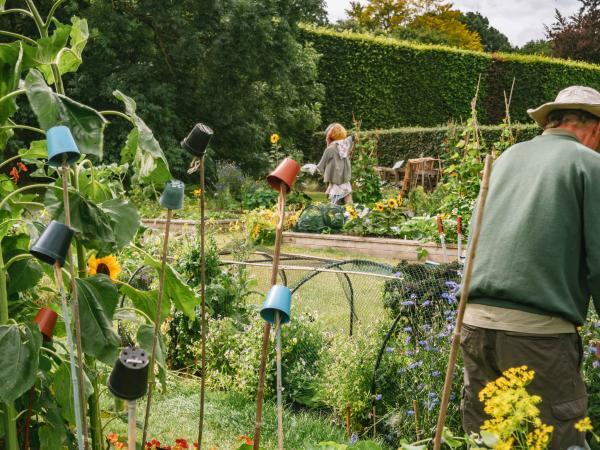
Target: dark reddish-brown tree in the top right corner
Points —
{"points": [[577, 36]]}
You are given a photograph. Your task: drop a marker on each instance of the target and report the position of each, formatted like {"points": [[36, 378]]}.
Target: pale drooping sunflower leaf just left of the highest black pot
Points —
{"points": [[142, 148]]}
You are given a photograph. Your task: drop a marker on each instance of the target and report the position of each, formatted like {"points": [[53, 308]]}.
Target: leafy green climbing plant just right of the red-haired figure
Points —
{"points": [[365, 180]]}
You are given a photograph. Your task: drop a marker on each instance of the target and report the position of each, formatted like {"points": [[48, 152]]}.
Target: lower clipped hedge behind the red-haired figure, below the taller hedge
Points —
{"points": [[404, 143]]}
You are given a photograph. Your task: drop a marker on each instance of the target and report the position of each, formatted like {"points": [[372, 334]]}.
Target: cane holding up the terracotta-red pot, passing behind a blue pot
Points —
{"points": [[267, 326]]}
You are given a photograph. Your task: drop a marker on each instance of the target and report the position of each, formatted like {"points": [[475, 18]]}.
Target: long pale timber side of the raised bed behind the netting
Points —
{"points": [[385, 248]]}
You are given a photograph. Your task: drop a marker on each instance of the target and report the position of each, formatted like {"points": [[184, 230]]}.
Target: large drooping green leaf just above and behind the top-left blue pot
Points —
{"points": [[86, 124]]}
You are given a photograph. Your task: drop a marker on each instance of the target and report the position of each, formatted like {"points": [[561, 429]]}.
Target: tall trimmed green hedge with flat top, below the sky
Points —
{"points": [[388, 83]]}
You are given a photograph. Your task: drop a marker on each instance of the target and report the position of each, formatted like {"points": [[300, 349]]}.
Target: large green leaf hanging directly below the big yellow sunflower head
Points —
{"points": [[98, 298]]}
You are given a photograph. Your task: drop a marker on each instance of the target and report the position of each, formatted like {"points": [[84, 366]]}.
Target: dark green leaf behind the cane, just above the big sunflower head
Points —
{"points": [[93, 226]]}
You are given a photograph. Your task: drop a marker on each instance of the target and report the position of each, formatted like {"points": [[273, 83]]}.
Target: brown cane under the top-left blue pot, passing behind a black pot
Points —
{"points": [[75, 305]]}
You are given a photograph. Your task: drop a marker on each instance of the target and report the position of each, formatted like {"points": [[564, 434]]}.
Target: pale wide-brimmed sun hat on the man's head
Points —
{"points": [[573, 97]]}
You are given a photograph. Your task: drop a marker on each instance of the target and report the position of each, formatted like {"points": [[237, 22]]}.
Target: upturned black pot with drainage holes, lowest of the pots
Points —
{"points": [[129, 377]]}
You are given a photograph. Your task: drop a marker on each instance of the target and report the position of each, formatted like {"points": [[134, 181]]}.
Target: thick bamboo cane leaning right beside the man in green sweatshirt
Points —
{"points": [[464, 297]]}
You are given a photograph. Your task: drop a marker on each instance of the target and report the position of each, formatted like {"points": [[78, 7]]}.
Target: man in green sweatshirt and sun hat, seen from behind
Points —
{"points": [[537, 264]]}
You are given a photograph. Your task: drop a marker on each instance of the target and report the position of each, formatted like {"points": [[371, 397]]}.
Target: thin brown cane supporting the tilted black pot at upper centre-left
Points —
{"points": [[203, 328]]}
